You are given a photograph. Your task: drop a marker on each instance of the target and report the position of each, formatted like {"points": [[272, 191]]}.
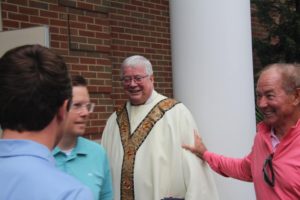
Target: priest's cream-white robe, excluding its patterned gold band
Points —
{"points": [[161, 167]]}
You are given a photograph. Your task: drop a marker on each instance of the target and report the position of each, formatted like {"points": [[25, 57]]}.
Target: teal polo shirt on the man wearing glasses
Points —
{"points": [[88, 163]]}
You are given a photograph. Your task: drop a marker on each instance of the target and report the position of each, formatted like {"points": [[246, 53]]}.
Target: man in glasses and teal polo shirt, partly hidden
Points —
{"points": [[84, 159]]}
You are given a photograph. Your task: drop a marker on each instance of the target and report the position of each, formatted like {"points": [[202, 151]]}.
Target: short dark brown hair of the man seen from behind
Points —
{"points": [[34, 84]]}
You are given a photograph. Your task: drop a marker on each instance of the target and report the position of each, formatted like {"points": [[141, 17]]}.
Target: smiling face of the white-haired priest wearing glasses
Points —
{"points": [[138, 85]]}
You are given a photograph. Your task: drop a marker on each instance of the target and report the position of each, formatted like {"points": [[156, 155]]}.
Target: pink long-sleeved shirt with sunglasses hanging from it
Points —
{"points": [[286, 164]]}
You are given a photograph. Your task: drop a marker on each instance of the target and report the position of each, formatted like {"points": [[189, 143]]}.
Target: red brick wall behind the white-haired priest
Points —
{"points": [[94, 36]]}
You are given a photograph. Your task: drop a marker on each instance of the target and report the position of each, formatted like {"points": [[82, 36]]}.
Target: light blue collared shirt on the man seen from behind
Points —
{"points": [[27, 171]]}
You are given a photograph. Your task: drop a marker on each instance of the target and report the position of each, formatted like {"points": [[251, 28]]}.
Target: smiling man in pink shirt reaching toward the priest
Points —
{"points": [[273, 164]]}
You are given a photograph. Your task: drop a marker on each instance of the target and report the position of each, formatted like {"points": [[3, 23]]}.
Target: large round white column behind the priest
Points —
{"points": [[213, 76]]}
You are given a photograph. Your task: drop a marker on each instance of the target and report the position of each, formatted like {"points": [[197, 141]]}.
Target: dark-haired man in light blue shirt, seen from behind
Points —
{"points": [[35, 89]]}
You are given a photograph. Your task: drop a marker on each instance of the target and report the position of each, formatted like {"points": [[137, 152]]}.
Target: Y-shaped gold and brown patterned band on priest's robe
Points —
{"points": [[132, 142]]}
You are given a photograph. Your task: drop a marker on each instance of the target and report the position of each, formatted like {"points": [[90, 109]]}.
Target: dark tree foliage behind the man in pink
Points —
{"points": [[281, 20]]}
